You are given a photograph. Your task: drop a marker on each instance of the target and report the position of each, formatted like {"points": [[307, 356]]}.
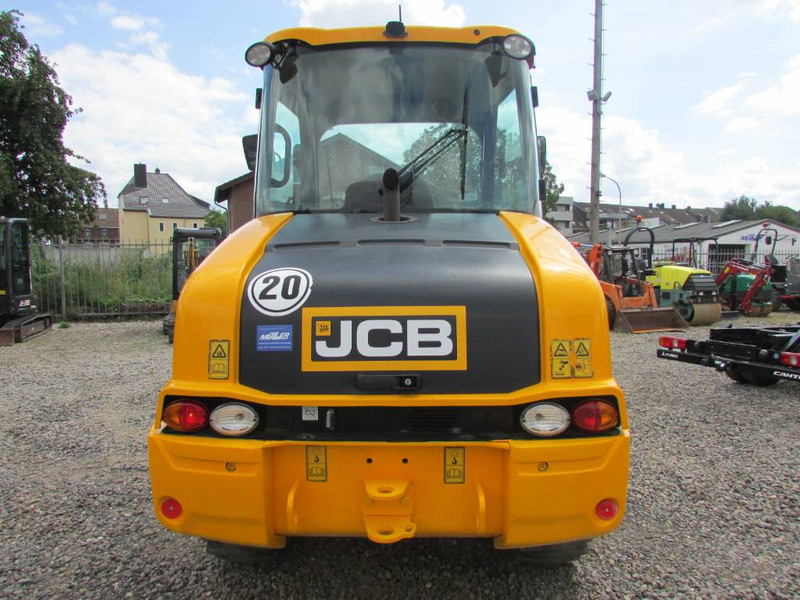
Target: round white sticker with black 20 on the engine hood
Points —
{"points": [[280, 291]]}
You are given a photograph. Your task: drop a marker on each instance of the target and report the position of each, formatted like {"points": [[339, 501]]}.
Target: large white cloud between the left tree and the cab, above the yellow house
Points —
{"points": [[140, 108]]}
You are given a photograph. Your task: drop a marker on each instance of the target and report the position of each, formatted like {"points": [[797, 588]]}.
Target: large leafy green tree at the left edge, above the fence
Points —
{"points": [[37, 180]]}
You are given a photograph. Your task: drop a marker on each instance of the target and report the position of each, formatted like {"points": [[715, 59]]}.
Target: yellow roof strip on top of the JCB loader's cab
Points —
{"points": [[314, 36]]}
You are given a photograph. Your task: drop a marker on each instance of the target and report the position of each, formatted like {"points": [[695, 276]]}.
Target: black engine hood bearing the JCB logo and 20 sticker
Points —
{"points": [[342, 304]]}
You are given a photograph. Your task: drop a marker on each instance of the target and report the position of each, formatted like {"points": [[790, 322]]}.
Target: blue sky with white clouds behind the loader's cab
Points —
{"points": [[704, 105]]}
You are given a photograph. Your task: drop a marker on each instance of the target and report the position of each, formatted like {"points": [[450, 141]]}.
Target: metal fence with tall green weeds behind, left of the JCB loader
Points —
{"points": [[81, 281]]}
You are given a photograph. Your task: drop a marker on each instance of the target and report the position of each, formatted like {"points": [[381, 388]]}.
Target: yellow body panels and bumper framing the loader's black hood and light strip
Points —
{"points": [[519, 492]]}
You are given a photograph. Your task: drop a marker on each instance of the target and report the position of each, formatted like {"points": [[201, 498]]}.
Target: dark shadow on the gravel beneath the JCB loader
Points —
{"points": [[355, 568]]}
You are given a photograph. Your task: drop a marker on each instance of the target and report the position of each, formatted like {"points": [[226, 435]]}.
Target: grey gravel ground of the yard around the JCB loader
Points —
{"points": [[714, 507]]}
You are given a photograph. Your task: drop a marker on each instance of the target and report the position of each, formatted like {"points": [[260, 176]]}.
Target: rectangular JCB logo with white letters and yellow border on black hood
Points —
{"points": [[424, 338]]}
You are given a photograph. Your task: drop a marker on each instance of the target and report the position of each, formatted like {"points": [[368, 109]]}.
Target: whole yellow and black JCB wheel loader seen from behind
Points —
{"points": [[397, 345]]}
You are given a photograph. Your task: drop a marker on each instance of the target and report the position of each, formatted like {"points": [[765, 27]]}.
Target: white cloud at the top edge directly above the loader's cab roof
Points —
{"points": [[355, 13]]}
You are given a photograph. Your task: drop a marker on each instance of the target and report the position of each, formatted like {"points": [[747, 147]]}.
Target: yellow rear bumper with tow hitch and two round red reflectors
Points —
{"points": [[521, 493]]}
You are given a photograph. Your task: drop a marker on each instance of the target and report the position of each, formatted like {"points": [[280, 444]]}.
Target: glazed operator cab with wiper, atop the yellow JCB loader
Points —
{"points": [[453, 121]]}
